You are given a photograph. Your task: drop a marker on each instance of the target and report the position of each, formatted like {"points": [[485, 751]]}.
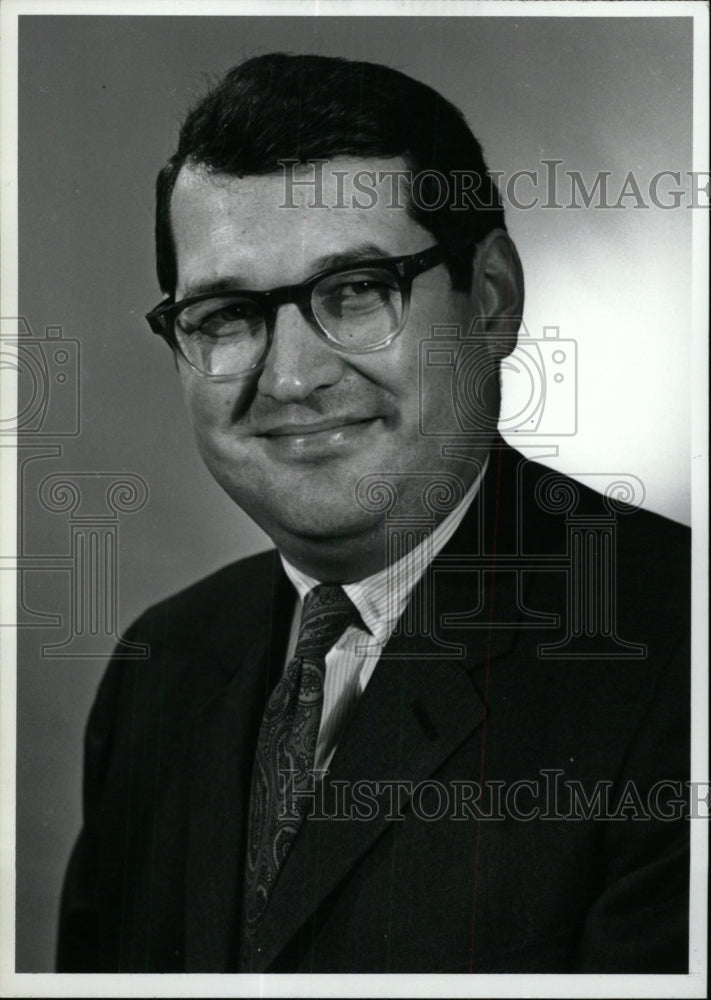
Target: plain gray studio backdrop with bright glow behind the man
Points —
{"points": [[100, 99]]}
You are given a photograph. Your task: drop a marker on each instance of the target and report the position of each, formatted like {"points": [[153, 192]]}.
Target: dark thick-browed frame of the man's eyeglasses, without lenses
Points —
{"points": [[161, 319]]}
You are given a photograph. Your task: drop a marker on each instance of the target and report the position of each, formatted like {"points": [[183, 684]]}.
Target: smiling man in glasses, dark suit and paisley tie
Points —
{"points": [[480, 766]]}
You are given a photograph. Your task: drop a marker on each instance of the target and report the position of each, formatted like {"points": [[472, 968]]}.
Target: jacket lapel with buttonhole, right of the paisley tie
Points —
{"points": [[411, 717]]}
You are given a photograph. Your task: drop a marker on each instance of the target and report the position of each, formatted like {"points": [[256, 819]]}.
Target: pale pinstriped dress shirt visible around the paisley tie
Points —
{"points": [[381, 600]]}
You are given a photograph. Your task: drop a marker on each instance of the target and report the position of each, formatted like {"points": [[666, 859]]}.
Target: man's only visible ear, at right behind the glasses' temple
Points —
{"points": [[497, 291]]}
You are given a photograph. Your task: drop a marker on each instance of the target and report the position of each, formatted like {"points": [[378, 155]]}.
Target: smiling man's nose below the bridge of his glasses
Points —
{"points": [[298, 361]]}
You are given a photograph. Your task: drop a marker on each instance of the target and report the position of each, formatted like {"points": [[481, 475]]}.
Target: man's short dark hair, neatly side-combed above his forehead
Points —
{"points": [[295, 107]]}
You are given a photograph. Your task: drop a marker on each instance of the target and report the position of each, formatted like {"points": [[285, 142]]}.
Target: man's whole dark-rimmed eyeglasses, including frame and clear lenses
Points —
{"points": [[359, 309]]}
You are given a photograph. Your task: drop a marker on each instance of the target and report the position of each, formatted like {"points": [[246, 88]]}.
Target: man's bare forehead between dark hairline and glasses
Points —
{"points": [[275, 228]]}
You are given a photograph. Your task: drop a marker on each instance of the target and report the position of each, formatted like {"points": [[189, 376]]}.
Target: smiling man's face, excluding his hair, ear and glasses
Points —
{"points": [[291, 443]]}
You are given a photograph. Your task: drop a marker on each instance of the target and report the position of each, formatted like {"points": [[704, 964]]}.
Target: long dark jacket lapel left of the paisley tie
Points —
{"points": [[224, 740]]}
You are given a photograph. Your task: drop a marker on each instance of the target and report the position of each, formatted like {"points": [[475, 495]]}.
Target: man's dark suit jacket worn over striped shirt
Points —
{"points": [[535, 664]]}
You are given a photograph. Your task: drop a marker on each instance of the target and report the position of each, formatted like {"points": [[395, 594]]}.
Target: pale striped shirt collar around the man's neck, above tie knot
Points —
{"points": [[381, 598]]}
